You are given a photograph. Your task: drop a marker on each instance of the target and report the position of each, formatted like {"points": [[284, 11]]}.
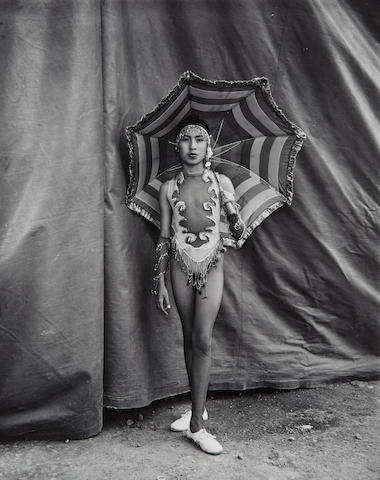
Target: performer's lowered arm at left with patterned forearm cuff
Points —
{"points": [[162, 253]]}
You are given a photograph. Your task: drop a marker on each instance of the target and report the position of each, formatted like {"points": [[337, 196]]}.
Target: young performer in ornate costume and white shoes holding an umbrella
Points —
{"points": [[190, 207]]}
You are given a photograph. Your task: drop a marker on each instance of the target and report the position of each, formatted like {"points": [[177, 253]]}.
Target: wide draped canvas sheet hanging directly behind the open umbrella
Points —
{"points": [[299, 306]]}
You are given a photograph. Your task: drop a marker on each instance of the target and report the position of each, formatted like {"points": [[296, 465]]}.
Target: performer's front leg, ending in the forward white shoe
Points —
{"points": [[206, 309]]}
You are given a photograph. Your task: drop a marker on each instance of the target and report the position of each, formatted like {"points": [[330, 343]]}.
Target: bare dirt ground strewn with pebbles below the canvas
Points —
{"points": [[329, 433]]}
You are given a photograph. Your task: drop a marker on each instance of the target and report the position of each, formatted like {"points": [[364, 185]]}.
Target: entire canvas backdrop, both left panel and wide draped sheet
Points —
{"points": [[300, 306]]}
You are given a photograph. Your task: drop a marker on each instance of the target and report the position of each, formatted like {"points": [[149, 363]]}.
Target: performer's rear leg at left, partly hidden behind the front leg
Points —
{"points": [[184, 297]]}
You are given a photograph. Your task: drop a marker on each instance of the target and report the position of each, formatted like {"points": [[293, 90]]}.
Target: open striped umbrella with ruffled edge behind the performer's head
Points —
{"points": [[254, 144]]}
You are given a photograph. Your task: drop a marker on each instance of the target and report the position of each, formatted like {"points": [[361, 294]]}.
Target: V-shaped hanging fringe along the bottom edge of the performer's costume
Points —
{"points": [[197, 272]]}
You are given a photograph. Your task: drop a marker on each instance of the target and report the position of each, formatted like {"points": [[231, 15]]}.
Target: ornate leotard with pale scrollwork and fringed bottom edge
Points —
{"points": [[195, 242]]}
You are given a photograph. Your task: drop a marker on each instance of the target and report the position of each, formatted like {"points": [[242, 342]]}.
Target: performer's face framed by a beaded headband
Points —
{"points": [[192, 144]]}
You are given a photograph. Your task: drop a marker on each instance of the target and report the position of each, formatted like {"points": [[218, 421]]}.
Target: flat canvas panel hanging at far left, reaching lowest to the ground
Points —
{"points": [[51, 231]]}
